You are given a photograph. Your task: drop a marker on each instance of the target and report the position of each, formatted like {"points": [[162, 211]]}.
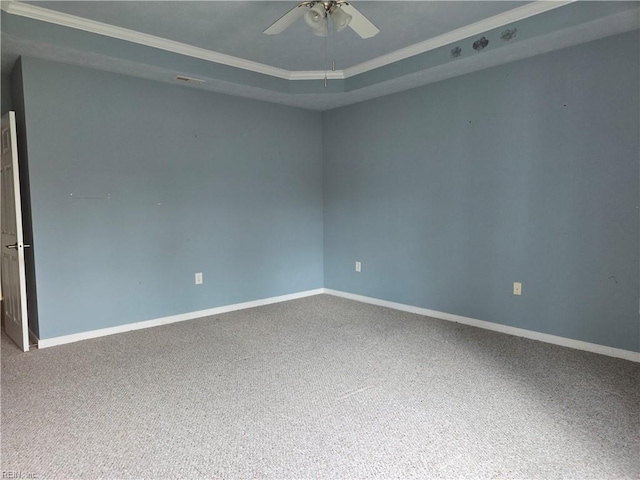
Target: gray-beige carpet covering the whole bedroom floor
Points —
{"points": [[321, 388]]}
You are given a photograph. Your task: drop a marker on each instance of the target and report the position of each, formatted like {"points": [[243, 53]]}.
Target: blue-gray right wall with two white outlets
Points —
{"points": [[526, 172]]}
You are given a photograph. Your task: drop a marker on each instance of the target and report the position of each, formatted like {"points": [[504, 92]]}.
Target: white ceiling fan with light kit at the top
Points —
{"points": [[316, 14]]}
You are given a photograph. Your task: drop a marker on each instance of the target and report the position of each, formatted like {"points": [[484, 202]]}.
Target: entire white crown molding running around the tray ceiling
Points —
{"points": [[15, 7]]}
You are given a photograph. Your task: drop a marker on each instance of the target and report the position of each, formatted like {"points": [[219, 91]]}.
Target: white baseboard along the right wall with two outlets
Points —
{"points": [[518, 332]]}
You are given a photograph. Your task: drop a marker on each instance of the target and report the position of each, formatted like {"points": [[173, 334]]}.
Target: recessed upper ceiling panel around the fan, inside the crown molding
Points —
{"points": [[235, 28]]}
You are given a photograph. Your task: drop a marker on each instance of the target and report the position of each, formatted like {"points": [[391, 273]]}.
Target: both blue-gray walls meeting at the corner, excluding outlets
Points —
{"points": [[447, 194]]}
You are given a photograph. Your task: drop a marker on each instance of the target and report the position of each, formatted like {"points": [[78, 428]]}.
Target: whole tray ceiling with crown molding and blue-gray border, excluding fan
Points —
{"points": [[222, 43]]}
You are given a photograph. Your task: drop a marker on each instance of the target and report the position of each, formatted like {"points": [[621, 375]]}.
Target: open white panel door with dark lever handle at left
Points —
{"points": [[14, 284]]}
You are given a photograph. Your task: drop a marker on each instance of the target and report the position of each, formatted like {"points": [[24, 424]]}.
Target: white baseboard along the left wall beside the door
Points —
{"points": [[76, 337]]}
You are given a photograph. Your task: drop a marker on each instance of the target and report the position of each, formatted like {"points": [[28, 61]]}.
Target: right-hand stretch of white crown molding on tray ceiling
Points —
{"points": [[500, 20]]}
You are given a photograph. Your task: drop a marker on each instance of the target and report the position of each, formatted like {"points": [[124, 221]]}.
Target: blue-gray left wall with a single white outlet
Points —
{"points": [[137, 185]]}
